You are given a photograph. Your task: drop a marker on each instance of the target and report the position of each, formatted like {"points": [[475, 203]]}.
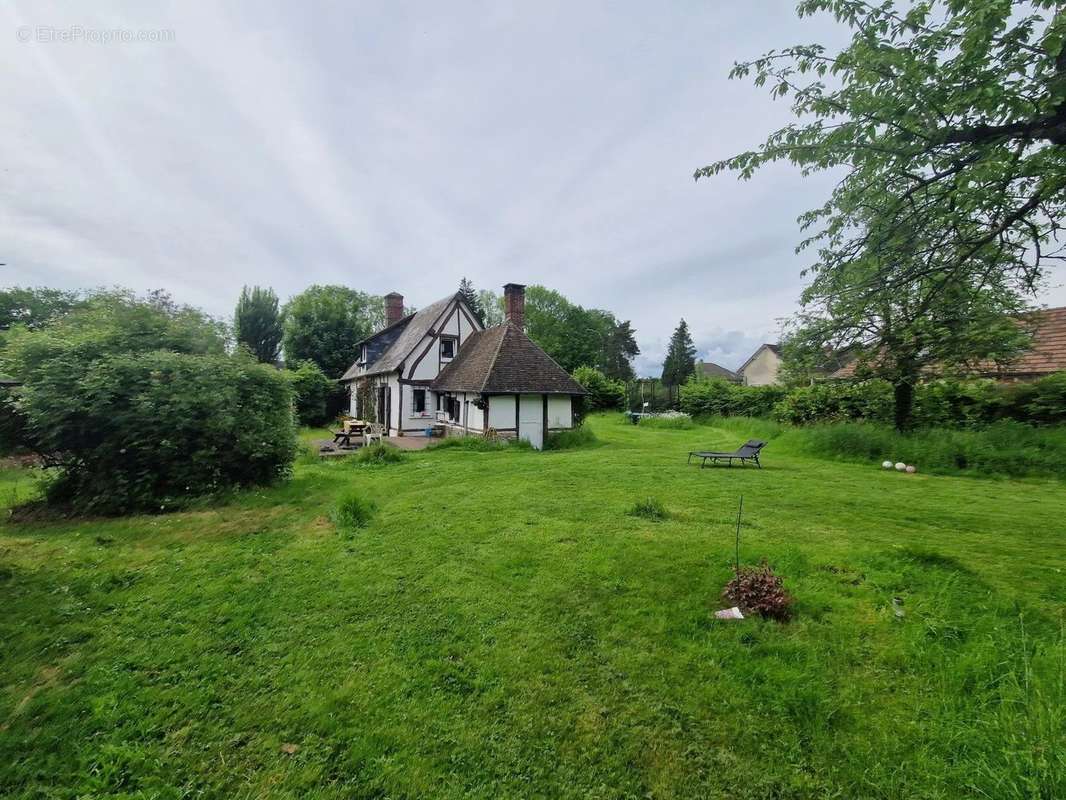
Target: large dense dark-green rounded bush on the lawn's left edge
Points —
{"points": [[150, 431]]}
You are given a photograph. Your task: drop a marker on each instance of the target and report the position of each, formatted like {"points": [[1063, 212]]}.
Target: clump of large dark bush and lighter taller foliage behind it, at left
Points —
{"points": [[137, 403]]}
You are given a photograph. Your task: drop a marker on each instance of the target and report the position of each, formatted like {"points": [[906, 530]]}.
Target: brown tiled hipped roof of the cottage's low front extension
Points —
{"points": [[504, 360]]}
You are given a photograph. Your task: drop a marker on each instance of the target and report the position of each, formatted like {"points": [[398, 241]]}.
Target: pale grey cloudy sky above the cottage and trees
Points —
{"points": [[401, 147]]}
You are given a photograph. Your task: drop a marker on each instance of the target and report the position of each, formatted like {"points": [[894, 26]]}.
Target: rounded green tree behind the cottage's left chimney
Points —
{"points": [[324, 325]]}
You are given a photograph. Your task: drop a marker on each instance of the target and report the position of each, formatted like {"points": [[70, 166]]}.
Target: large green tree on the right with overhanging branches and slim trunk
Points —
{"points": [[950, 123]]}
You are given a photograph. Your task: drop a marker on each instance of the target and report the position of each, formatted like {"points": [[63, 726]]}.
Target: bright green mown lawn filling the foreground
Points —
{"points": [[505, 629]]}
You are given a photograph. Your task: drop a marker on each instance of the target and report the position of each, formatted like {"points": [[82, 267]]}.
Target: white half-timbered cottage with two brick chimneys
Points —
{"points": [[440, 365]]}
